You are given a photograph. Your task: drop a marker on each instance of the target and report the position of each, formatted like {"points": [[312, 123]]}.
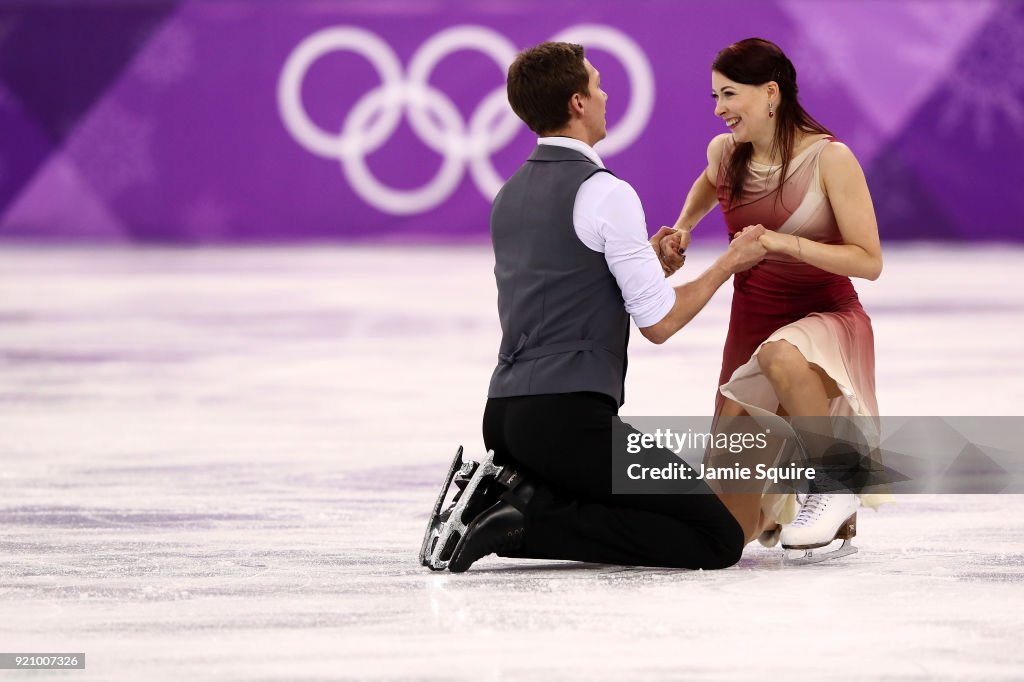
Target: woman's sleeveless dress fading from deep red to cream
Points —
{"points": [[784, 299]]}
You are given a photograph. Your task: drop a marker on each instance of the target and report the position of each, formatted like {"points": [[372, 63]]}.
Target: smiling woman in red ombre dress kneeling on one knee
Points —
{"points": [[799, 342]]}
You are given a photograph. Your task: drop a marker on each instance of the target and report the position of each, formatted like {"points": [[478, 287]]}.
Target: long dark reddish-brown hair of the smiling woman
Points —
{"points": [[755, 62]]}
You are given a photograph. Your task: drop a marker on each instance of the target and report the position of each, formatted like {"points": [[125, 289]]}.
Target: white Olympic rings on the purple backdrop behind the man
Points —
{"points": [[433, 116]]}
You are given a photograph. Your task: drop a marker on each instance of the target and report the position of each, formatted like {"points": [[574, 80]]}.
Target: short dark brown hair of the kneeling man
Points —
{"points": [[541, 82]]}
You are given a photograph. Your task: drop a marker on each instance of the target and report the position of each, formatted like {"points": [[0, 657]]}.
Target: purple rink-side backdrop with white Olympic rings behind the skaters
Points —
{"points": [[227, 121]]}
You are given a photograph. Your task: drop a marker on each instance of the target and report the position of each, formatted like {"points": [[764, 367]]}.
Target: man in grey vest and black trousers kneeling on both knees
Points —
{"points": [[573, 265]]}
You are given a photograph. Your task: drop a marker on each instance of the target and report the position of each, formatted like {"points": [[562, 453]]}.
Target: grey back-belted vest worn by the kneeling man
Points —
{"points": [[565, 327]]}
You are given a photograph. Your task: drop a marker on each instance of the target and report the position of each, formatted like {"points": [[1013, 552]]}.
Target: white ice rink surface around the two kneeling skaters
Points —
{"points": [[218, 464]]}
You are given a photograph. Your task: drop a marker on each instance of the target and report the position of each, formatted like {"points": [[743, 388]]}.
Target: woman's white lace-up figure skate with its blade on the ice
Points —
{"points": [[823, 520]]}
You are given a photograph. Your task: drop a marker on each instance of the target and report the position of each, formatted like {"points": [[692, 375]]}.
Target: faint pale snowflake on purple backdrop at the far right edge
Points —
{"points": [[987, 89]]}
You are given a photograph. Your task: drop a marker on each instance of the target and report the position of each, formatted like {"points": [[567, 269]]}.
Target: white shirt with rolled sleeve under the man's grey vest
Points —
{"points": [[609, 219]]}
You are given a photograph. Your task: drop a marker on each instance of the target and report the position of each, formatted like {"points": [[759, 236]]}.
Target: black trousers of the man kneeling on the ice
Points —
{"points": [[564, 445]]}
